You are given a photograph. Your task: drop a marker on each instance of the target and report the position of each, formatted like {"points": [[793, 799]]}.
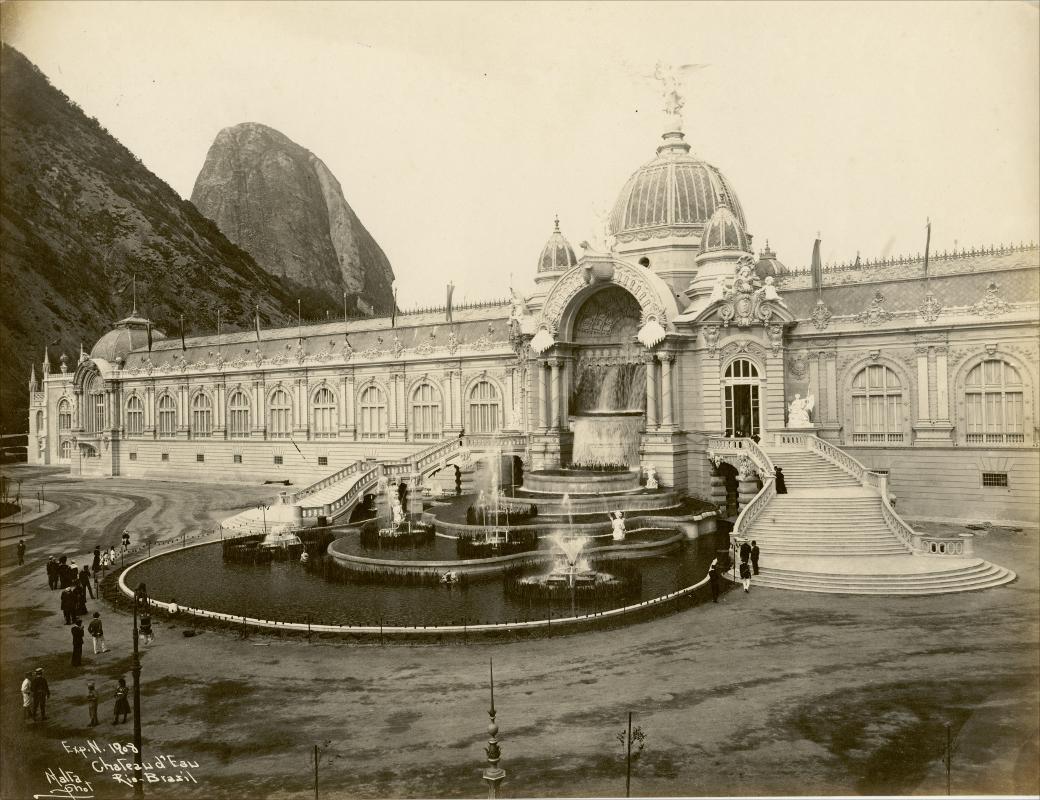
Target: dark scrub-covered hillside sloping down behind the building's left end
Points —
{"points": [[80, 216]]}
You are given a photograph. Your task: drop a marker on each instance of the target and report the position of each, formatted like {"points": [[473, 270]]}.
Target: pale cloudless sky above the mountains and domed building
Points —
{"points": [[459, 131]]}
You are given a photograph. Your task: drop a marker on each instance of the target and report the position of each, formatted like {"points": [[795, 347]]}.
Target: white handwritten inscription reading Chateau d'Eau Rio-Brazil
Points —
{"points": [[118, 761]]}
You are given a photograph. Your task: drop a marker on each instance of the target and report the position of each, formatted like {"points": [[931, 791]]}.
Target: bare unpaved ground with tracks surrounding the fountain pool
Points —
{"points": [[771, 692]]}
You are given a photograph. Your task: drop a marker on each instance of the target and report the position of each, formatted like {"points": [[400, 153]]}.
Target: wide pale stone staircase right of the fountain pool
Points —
{"points": [[829, 534]]}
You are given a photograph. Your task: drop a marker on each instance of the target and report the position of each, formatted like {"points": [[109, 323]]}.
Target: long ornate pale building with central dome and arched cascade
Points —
{"points": [[677, 324]]}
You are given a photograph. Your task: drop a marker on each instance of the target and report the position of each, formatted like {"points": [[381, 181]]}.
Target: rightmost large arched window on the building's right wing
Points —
{"points": [[994, 404]]}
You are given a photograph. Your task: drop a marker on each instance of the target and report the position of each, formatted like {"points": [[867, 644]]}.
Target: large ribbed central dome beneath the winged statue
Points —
{"points": [[674, 195]]}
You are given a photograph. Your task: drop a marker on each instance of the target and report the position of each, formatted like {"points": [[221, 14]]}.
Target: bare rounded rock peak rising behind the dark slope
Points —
{"points": [[280, 203]]}
